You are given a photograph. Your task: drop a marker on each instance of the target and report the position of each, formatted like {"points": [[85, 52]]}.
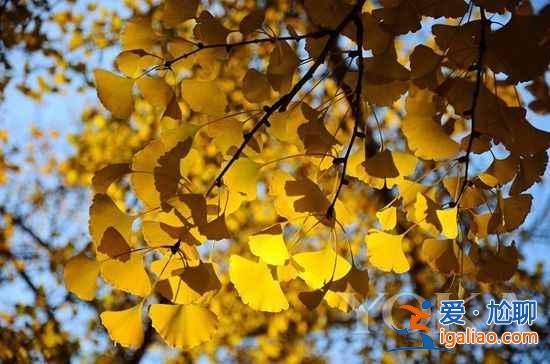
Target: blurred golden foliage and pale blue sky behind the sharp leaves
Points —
{"points": [[49, 110]]}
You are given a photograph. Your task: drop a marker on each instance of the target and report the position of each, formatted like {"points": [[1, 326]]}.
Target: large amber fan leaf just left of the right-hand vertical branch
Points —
{"points": [[424, 134]]}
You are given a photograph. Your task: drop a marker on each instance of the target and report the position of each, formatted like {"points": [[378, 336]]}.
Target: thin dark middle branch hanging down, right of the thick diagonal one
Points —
{"points": [[357, 113]]}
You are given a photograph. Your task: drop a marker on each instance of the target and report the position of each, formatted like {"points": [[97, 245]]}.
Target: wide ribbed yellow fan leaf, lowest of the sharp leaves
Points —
{"points": [[183, 326]]}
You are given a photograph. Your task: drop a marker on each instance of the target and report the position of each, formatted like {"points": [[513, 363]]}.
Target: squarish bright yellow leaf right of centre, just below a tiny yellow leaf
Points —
{"points": [[385, 251]]}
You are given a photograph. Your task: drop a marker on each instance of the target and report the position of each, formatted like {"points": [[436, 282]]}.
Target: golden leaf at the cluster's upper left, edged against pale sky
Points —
{"points": [[115, 93]]}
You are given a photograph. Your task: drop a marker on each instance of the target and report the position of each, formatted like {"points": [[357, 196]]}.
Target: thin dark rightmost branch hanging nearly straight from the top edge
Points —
{"points": [[475, 97]]}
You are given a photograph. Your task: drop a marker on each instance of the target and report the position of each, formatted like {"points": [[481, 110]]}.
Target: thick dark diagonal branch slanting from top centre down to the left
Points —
{"points": [[282, 103]]}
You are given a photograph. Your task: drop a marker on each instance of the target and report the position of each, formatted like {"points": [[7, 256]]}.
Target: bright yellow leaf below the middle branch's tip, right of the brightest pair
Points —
{"points": [[321, 267]]}
